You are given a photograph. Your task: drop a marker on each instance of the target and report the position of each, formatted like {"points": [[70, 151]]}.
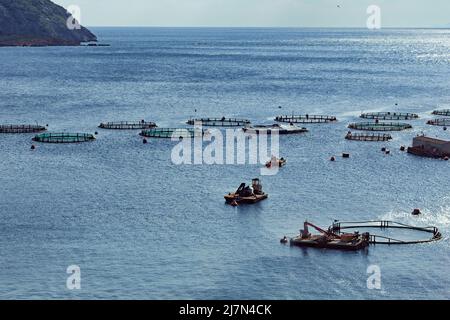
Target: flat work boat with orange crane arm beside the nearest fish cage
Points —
{"points": [[330, 240]]}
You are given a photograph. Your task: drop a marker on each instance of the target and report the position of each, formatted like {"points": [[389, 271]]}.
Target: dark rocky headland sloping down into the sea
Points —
{"points": [[38, 23]]}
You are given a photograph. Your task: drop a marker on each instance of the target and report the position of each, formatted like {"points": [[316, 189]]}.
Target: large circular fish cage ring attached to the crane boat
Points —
{"points": [[435, 235]]}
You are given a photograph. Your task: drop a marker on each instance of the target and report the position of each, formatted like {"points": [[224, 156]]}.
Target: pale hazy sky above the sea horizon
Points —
{"points": [[247, 13]]}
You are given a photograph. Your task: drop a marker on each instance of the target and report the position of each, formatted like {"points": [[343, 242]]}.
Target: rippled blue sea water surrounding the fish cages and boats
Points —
{"points": [[141, 227]]}
